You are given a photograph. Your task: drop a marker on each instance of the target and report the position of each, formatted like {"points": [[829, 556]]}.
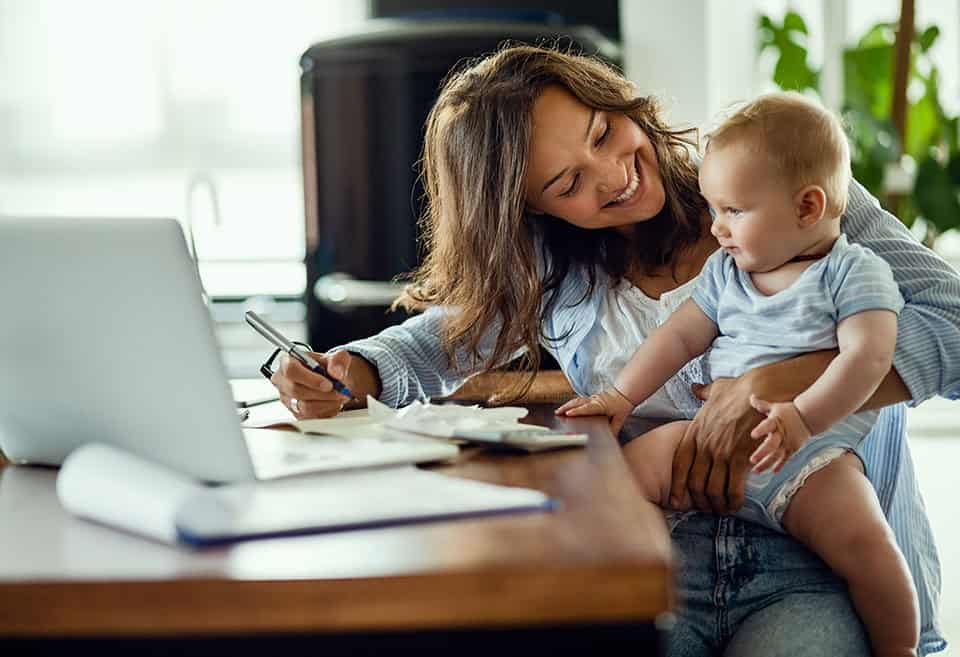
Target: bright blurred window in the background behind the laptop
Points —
{"points": [[166, 108]]}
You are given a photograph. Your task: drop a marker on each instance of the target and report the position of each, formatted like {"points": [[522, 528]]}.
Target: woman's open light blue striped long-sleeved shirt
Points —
{"points": [[412, 364]]}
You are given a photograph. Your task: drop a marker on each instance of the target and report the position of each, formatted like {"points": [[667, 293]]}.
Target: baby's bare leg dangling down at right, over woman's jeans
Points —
{"points": [[837, 515]]}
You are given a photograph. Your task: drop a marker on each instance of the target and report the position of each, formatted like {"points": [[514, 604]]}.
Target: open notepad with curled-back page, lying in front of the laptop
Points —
{"points": [[116, 488]]}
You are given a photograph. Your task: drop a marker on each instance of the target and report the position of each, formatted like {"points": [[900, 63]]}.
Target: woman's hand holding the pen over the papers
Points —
{"points": [[311, 395]]}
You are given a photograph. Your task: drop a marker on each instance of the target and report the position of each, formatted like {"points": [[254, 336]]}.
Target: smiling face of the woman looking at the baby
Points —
{"points": [[590, 168]]}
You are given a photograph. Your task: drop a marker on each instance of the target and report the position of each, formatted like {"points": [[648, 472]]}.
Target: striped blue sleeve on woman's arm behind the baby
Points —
{"points": [[928, 329]]}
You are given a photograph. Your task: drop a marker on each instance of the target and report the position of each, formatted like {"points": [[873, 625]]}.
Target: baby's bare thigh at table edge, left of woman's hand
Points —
{"points": [[650, 457]]}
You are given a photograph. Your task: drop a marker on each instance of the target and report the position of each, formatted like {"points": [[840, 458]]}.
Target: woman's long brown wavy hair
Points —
{"points": [[479, 241]]}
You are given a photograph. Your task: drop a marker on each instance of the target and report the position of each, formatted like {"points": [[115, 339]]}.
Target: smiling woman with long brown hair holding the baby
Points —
{"points": [[562, 211]]}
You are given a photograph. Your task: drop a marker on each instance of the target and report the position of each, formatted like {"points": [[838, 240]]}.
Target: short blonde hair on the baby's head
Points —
{"points": [[803, 140]]}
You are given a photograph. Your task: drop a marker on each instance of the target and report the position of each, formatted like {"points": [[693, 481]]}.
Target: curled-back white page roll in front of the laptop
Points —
{"points": [[112, 486]]}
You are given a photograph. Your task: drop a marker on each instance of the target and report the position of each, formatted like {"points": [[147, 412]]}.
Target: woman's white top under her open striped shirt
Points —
{"points": [[626, 317]]}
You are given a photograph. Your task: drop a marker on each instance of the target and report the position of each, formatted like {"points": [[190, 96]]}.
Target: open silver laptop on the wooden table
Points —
{"points": [[104, 337]]}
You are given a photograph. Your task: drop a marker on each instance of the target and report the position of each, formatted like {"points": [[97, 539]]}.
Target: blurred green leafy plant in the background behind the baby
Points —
{"points": [[916, 176]]}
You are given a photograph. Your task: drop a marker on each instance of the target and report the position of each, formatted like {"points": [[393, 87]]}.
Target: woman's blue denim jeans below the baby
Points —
{"points": [[746, 590]]}
